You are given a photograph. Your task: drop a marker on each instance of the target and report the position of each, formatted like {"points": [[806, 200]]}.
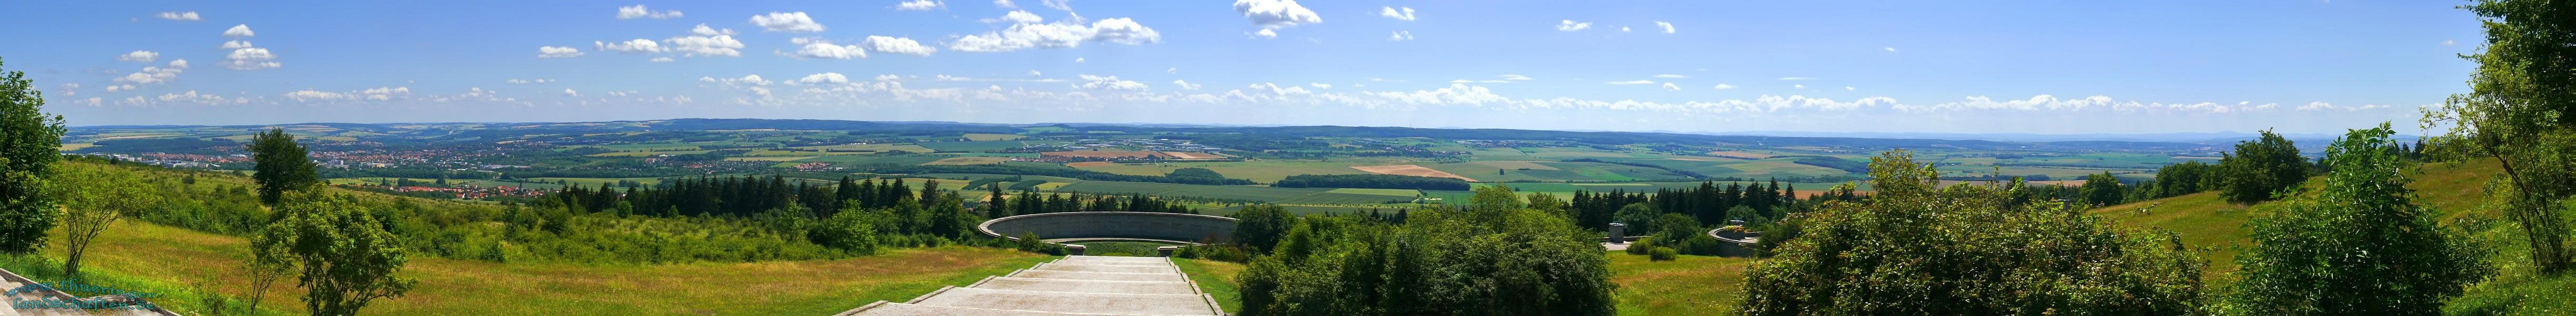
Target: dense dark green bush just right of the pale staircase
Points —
{"points": [[1490, 258]]}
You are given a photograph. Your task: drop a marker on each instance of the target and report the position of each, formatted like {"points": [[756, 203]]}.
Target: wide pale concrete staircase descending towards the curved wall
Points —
{"points": [[1073, 286]]}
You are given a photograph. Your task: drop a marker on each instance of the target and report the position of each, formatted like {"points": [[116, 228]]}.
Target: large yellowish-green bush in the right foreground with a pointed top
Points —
{"points": [[1975, 250]]}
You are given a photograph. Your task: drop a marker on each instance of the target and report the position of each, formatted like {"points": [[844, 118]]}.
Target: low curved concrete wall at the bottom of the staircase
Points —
{"points": [[1114, 225]]}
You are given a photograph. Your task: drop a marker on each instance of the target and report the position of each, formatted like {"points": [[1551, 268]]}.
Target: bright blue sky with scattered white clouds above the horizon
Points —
{"points": [[1956, 68]]}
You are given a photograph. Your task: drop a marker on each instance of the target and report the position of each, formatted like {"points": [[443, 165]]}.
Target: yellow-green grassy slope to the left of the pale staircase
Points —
{"points": [[462, 286]]}
